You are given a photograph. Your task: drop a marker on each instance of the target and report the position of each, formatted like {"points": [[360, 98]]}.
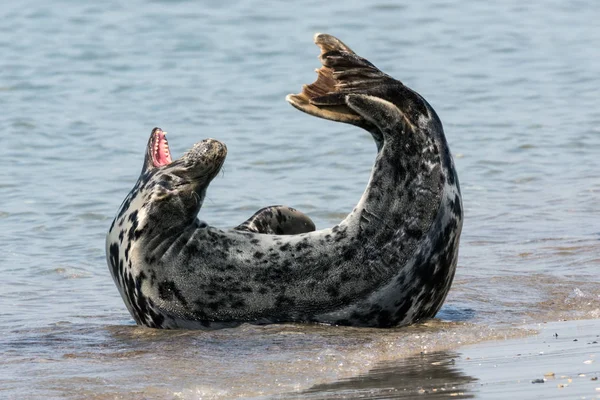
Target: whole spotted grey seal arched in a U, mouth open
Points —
{"points": [[390, 262]]}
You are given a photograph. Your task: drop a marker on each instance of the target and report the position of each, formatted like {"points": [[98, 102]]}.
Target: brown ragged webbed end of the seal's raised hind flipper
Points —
{"points": [[325, 98]]}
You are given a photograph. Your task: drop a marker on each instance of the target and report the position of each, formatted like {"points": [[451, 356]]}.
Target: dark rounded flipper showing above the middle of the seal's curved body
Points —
{"points": [[278, 220]]}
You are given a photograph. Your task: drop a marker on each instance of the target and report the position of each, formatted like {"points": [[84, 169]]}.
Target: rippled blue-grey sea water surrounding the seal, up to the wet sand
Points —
{"points": [[82, 85]]}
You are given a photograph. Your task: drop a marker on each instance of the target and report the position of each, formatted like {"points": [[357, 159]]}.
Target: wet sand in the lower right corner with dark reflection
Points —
{"points": [[561, 361]]}
